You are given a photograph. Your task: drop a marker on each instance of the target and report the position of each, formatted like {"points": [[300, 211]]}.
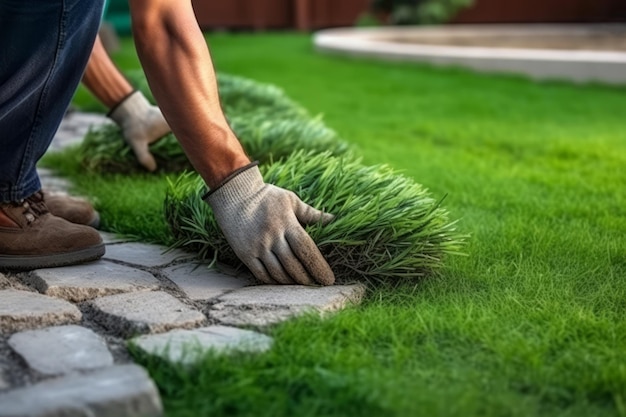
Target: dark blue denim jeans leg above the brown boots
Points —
{"points": [[44, 48]]}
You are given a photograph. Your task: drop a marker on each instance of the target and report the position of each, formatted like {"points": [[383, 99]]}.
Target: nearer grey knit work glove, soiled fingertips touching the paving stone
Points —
{"points": [[263, 225]]}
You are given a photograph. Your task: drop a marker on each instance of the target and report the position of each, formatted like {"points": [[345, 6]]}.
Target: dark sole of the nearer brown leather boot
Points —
{"points": [[29, 262]]}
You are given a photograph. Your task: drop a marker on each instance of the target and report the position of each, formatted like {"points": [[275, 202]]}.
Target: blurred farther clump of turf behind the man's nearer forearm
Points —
{"points": [[268, 124]]}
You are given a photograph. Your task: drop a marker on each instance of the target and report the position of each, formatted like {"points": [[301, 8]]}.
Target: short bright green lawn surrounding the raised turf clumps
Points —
{"points": [[532, 322]]}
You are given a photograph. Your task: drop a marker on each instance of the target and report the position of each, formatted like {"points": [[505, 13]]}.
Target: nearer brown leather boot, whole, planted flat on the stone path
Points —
{"points": [[31, 237]]}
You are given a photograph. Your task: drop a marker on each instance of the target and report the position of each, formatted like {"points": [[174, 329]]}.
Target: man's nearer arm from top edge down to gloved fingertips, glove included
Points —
{"points": [[262, 223]]}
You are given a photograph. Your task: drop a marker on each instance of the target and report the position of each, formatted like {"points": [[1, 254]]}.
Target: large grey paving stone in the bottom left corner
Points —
{"points": [[117, 391]]}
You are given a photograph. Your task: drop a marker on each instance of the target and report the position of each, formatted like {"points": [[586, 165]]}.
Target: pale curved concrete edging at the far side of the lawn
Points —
{"points": [[572, 65]]}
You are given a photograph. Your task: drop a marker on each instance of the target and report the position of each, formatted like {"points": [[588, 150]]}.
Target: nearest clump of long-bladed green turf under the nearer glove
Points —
{"points": [[387, 227]]}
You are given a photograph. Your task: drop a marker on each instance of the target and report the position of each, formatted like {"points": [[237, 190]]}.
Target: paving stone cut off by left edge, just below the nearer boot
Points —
{"points": [[26, 310]]}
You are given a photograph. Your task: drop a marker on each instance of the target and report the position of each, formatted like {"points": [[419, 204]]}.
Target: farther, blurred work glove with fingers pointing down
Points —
{"points": [[141, 124]]}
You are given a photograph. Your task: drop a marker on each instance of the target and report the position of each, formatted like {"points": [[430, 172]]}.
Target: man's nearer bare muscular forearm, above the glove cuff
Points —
{"points": [[180, 72]]}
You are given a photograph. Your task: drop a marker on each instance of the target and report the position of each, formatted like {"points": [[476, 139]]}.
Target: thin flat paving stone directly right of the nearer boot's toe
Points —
{"points": [[143, 254]]}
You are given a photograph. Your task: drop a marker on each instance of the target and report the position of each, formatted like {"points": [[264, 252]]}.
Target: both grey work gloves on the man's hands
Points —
{"points": [[261, 222]]}
